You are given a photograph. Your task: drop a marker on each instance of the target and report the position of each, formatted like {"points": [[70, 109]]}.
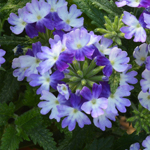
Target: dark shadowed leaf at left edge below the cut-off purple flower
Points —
{"points": [[11, 85]]}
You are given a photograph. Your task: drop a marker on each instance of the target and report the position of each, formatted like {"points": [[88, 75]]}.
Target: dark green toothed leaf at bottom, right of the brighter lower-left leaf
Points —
{"points": [[43, 137]]}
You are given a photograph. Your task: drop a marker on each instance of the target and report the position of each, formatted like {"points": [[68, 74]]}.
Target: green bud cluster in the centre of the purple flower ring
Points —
{"points": [[83, 74]]}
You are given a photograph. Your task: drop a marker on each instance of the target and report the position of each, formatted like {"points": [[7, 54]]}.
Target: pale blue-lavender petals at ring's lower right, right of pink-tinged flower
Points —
{"points": [[118, 101]]}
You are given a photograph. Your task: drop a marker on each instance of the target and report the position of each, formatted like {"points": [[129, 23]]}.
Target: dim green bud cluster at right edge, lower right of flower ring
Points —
{"points": [[140, 119]]}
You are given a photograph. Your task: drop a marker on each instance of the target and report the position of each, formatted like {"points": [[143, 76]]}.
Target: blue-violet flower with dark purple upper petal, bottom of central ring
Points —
{"points": [[73, 113]]}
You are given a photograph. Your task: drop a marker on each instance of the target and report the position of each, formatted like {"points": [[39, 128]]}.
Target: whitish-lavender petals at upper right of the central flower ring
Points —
{"points": [[118, 59]]}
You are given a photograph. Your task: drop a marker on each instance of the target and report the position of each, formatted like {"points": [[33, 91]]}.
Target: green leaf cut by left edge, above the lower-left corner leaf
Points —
{"points": [[6, 111]]}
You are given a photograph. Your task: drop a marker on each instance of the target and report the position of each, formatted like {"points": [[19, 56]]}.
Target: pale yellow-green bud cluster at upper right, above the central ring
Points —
{"points": [[112, 30]]}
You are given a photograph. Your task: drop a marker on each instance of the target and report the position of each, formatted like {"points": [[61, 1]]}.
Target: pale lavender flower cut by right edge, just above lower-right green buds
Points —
{"points": [[144, 99]]}
